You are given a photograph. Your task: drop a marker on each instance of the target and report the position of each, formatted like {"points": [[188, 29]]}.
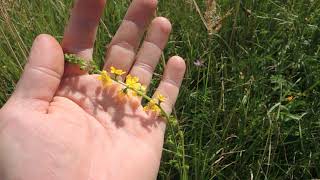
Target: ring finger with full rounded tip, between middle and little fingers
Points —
{"points": [[151, 50]]}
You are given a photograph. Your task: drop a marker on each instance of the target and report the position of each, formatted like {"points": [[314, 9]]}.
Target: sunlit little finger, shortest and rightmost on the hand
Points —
{"points": [[171, 82]]}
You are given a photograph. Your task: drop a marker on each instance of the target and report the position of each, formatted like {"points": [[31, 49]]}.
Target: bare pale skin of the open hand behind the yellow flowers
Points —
{"points": [[60, 124]]}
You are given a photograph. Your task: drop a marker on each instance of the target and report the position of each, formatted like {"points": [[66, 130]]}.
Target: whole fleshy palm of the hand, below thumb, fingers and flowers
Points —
{"points": [[84, 131]]}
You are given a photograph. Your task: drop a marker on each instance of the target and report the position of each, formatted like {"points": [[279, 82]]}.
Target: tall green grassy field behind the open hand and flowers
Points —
{"points": [[250, 112]]}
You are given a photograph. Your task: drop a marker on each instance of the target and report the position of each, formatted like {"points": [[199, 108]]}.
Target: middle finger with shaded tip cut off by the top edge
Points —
{"points": [[121, 50]]}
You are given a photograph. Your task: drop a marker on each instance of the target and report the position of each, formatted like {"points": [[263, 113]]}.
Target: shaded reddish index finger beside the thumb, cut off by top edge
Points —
{"points": [[80, 33]]}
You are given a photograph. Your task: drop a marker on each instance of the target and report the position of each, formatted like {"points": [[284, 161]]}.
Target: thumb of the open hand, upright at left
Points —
{"points": [[43, 71]]}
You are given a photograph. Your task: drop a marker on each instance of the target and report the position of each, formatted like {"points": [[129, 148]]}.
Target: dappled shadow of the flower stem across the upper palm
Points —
{"points": [[105, 104]]}
